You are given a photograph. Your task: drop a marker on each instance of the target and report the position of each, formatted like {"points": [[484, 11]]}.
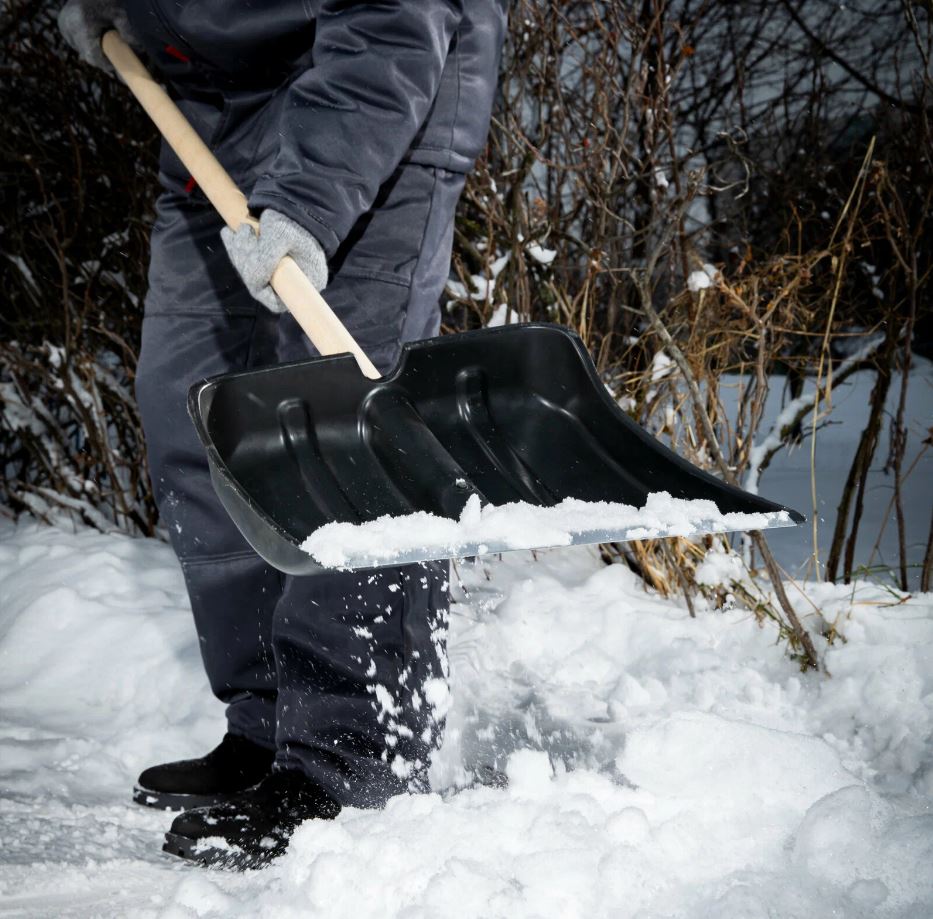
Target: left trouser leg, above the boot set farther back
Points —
{"points": [[200, 321]]}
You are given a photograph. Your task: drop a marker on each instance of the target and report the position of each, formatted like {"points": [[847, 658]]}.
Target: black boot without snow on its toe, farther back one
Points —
{"points": [[233, 766]]}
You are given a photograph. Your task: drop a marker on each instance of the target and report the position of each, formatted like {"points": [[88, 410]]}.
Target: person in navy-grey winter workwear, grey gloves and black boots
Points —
{"points": [[351, 127]]}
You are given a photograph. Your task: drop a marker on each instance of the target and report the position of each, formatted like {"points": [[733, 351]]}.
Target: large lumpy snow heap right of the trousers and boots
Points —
{"points": [[658, 766]]}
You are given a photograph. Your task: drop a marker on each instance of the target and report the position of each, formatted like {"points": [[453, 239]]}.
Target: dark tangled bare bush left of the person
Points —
{"points": [[77, 185]]}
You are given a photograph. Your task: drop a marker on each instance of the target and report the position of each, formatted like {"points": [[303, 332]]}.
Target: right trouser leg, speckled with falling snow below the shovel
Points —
{"points": [[361, 656]]}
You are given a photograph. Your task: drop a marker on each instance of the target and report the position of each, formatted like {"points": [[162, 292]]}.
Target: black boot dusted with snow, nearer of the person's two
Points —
{"points": [[252, 828]]}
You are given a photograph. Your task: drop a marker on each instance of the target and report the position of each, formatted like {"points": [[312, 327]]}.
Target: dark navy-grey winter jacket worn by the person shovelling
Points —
{"points": [[317, 102]]}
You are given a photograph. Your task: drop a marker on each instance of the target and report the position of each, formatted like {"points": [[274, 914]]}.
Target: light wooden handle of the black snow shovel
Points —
{"points": [[309, 308]]}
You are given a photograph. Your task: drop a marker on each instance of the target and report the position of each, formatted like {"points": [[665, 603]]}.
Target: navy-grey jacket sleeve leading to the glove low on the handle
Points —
{"points": [[347, 122]]}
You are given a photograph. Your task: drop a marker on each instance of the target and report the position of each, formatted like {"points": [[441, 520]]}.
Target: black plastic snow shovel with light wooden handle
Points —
{"points": [[492, 417]]}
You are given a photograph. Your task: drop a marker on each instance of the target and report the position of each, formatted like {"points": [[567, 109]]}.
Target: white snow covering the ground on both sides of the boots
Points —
{"points": [[658, 765]]}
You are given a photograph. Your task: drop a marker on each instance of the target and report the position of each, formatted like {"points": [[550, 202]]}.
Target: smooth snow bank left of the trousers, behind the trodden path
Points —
{"points": [[95, 628]]}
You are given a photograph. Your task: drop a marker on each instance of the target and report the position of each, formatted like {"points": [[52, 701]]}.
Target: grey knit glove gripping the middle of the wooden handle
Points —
{"points": [[256, 257]]}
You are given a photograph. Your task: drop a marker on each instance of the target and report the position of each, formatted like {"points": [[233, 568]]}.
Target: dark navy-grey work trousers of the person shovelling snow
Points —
{"points": [[344, 674]]}
